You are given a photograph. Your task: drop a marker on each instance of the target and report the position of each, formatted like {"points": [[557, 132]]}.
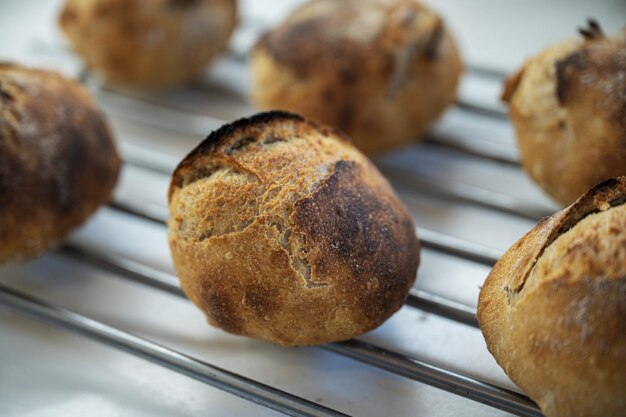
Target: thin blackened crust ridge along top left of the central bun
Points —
{"points": [[220, 136]]}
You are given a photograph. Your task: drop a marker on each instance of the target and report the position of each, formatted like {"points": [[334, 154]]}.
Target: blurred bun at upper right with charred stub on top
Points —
{"points": [[568, 106]]}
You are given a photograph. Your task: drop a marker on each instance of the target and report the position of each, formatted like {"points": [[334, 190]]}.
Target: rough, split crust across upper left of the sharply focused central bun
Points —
{"points": [[221, 157]]}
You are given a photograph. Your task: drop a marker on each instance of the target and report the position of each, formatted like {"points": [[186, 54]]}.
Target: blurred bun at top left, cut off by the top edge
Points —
{"points": [[148, 43]]}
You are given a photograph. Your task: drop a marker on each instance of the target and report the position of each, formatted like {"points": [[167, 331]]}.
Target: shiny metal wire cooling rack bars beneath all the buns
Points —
{"points": [[364, 352]]}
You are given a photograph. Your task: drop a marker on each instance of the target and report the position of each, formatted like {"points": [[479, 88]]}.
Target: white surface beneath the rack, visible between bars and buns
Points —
{"points": [[47, 372]]}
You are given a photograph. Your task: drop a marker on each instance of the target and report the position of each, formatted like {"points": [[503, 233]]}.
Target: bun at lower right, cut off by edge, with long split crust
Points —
{"points": [[553, 310]]}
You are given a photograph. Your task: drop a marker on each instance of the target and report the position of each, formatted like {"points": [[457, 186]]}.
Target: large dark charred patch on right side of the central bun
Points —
{"points": [[356, 226]]}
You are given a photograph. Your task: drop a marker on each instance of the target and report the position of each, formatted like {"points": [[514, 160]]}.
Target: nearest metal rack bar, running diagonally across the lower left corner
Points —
{"points": [[219, 378]]}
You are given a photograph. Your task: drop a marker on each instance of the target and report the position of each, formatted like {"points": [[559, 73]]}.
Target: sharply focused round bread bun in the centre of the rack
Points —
{"points": [[282, 231]]}
